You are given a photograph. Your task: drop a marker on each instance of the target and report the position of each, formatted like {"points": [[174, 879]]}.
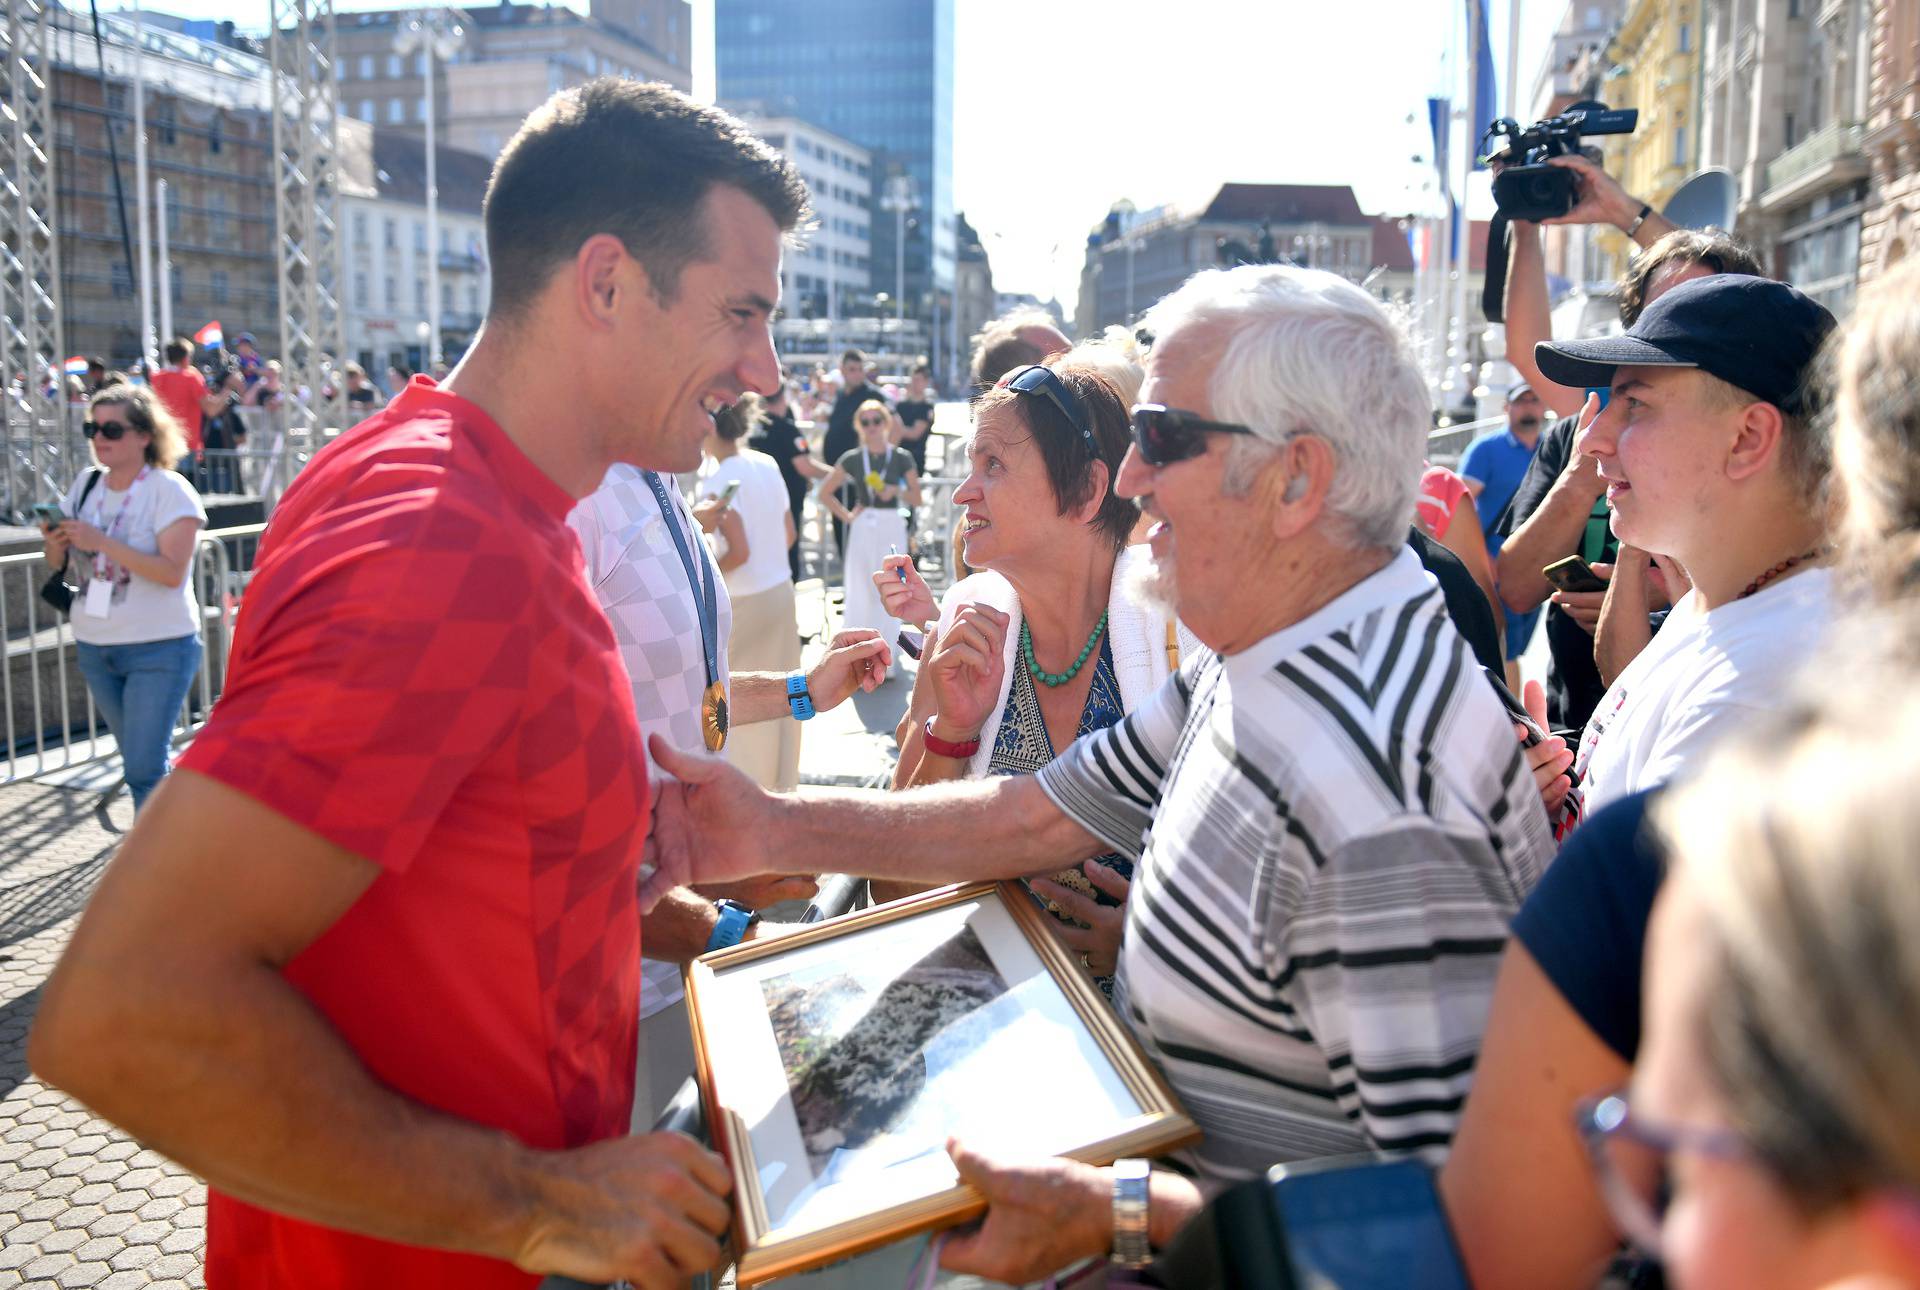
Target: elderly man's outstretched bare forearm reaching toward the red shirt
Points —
{"points": [[946, 834]]}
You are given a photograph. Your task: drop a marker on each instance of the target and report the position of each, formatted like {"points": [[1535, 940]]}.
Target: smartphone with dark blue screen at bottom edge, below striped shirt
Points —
{"points": [[1362, 1224]]}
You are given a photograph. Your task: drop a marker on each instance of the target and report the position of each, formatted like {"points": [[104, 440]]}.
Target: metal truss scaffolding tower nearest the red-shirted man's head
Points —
{"points": [[306, 185]]}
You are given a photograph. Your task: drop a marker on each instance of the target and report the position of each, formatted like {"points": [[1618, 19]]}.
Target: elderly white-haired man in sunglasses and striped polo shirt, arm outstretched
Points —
{"points": [[1332, 819]]}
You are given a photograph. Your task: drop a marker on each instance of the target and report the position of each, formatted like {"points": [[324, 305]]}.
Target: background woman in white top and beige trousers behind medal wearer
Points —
{"points": [[752, 540]]}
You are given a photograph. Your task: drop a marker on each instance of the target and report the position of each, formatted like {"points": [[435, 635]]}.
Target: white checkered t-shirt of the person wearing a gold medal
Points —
{"points": [[650, 604]]}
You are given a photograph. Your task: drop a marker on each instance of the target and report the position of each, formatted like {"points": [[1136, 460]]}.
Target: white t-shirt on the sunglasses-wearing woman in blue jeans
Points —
{"points": [[141, 608]]}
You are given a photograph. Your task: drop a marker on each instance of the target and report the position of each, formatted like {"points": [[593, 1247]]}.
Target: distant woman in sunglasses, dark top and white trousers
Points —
{"points": [[884, 481]]}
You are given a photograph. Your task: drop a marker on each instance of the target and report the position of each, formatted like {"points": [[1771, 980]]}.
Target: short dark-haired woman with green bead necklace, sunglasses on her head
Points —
{"points": [[1049, 642]]}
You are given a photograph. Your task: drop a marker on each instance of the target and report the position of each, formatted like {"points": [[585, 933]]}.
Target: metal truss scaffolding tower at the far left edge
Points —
{"points": [[30, 247]]}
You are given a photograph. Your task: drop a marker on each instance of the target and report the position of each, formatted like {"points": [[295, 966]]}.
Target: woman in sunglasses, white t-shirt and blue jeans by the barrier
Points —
{"points": [[130, 538]]}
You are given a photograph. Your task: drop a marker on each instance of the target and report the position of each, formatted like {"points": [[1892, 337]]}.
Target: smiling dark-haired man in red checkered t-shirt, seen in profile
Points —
{"points": [[370, 965]]}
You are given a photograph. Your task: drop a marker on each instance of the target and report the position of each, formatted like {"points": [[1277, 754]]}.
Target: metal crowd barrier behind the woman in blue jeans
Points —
{"points": [[51, 721]]}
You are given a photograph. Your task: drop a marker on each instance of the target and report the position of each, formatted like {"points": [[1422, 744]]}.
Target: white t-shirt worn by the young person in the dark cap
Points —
{"points": [[1702, 675]]}
